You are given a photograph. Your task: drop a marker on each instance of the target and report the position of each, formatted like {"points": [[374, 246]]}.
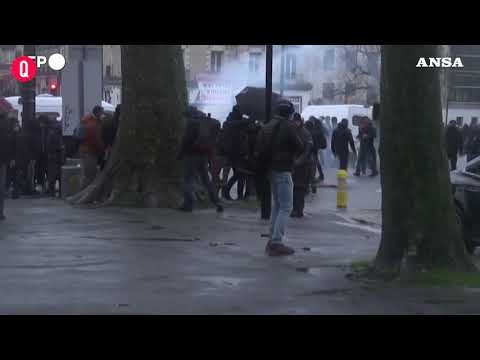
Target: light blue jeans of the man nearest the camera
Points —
{"points": [[282, 195]]}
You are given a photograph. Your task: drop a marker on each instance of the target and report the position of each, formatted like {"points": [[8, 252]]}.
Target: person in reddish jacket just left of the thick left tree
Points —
{"points": [[91, 146]]}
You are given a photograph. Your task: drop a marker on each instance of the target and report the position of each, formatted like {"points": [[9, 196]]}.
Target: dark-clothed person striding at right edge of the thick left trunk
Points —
{"points": [[196, 146]]}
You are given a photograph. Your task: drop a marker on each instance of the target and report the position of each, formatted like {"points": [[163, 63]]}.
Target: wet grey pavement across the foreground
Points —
{"points": [[58, 259]]}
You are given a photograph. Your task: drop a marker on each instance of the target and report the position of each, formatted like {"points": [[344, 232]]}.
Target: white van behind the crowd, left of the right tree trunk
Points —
{"points": [[351, 112]]}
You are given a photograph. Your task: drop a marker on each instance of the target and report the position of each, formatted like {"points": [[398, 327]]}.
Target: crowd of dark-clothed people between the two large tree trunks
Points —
{"points": [[277, 162]]}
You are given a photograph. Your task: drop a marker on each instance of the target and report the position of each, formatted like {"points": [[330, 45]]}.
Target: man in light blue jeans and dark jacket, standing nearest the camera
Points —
{"points": [[279, 144]]}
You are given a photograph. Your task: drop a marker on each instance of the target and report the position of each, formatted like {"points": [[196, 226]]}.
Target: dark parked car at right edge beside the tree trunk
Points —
{"points": [[466, 191]]}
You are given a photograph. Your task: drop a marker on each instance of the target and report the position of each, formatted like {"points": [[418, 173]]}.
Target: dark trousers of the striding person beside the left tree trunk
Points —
{"points": [[196, 167]]}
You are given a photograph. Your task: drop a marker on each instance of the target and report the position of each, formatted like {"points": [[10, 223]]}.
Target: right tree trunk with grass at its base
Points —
{"points": [[417, 204]]}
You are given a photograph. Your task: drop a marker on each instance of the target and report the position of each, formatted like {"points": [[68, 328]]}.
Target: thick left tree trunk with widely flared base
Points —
{"points": [[143, 169]]}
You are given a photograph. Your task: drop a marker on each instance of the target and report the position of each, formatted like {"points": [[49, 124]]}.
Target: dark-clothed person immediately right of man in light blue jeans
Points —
{"points": [[302, 168]]}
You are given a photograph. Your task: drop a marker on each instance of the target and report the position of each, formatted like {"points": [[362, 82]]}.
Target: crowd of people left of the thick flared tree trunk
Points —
{"points": [[32, 155]]}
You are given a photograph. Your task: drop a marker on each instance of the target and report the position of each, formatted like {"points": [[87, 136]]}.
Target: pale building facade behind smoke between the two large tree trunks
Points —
{"points": [[315, 74]]}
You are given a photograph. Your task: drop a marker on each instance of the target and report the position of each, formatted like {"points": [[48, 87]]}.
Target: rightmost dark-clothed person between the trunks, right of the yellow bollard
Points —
{"points": [[367, 153]]}
